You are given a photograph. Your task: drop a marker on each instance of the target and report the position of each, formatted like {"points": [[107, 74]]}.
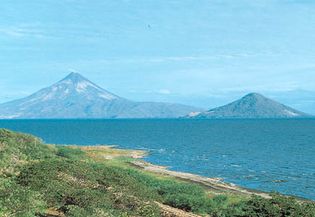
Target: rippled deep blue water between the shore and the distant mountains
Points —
{"points": [[250, 153]]}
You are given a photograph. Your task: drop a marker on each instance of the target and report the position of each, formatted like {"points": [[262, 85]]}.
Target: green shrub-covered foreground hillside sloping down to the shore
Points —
{"points": [[45, 180]]}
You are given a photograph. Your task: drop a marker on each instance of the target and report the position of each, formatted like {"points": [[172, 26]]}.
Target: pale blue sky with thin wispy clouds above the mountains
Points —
{"points": [[198, 52]]}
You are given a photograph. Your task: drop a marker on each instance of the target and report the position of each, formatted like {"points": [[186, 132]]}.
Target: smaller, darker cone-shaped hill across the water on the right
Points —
{"points": [[253, 105]]}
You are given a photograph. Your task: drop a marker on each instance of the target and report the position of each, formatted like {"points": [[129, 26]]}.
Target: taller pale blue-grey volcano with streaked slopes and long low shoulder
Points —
{"points": [[77, 97]]}
